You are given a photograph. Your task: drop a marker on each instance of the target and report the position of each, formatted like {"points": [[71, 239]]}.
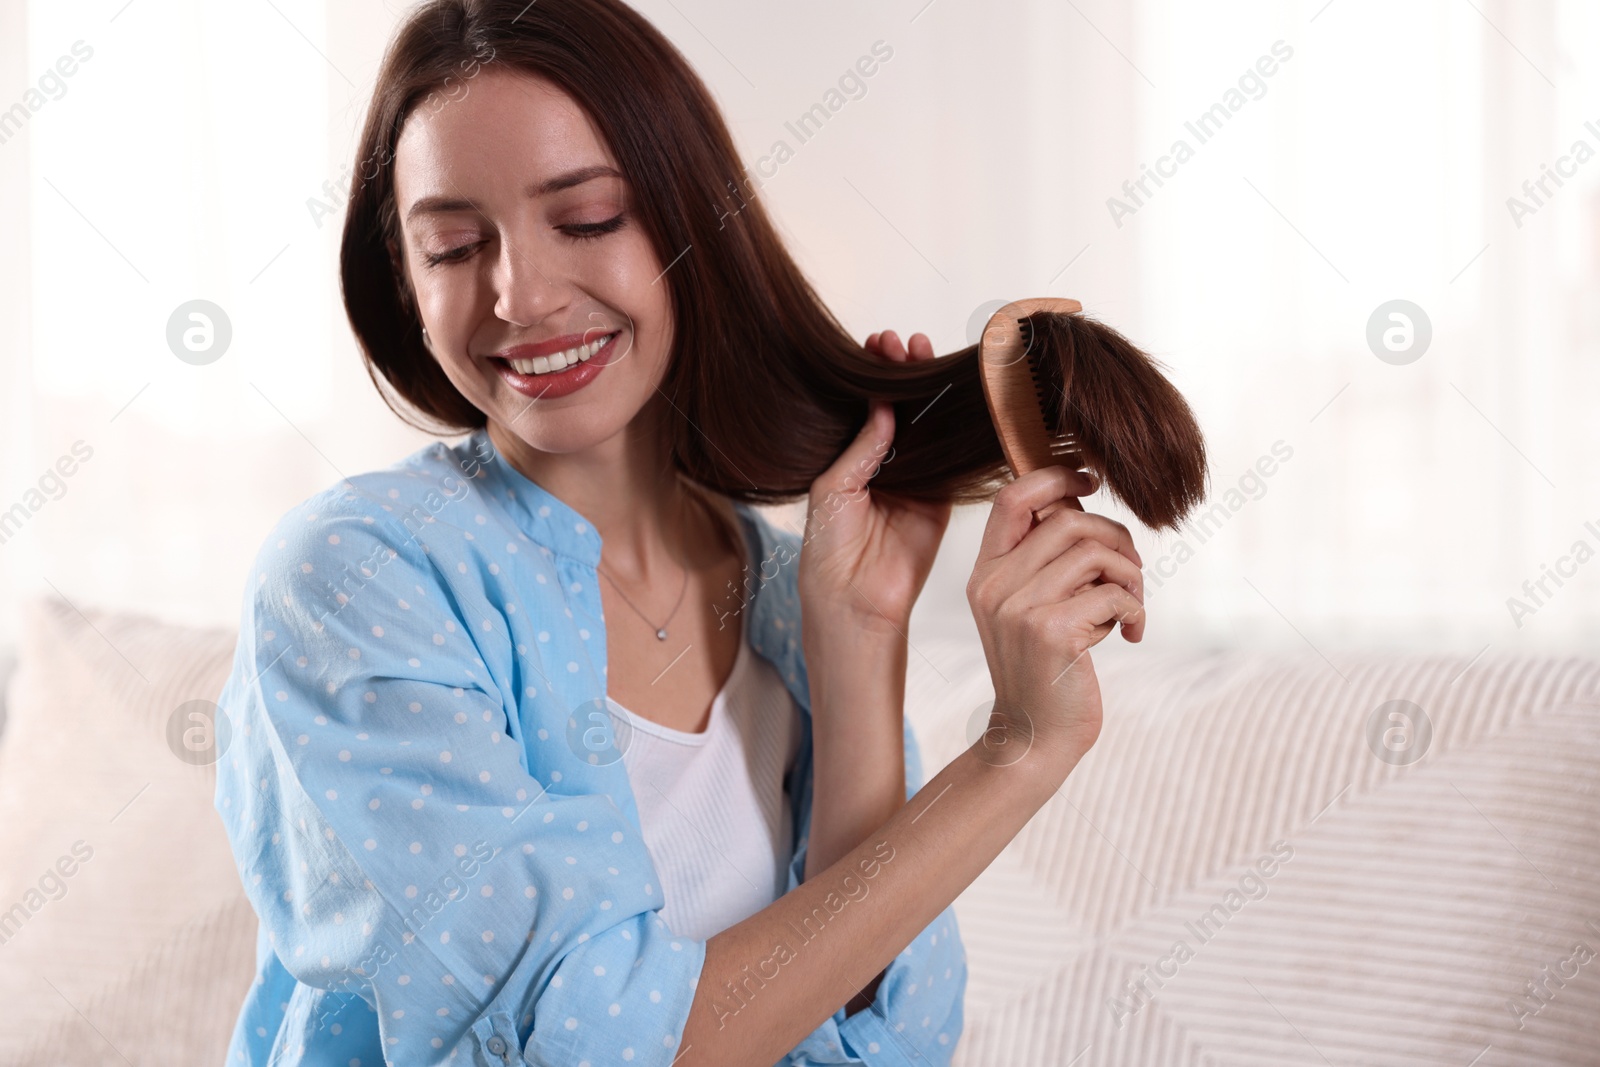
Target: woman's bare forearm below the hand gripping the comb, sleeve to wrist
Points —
{"points": [[774, 978]]}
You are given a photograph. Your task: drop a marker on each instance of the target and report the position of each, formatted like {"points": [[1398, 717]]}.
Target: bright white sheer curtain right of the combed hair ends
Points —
{"points": [[1375, 166]]}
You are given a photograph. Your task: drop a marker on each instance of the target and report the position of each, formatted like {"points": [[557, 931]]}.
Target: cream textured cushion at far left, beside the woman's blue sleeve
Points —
{"points": [[126, 932]]}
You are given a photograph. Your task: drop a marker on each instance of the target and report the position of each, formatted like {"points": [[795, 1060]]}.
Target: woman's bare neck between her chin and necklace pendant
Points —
{"points": [[652, 526]]}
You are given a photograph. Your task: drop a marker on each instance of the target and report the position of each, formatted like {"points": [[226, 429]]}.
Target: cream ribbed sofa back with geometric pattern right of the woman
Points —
{"points": [[1265, 860]]}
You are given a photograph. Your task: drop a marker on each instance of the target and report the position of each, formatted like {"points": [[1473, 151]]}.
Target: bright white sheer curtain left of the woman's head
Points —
{"points": [[182, 162]]}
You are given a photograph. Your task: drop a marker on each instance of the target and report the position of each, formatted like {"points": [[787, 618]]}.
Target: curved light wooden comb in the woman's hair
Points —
{"points": [[1023, 402]]}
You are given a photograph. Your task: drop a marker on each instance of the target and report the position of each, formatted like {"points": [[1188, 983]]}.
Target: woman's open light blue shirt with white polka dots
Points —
{"points": [[431, 813]]}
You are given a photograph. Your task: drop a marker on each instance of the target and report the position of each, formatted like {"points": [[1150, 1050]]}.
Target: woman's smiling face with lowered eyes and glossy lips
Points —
{"points": [[518, 244]]}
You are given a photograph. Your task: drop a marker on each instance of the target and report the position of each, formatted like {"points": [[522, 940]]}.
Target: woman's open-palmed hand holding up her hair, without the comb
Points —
{"points": [[871, 557]]}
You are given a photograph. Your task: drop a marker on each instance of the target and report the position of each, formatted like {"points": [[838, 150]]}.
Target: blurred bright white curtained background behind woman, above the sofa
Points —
{"points": [[1340, 156]]}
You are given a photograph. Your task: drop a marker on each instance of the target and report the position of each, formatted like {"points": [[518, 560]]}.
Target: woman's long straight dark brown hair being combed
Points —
{"points": [[767, 385]]}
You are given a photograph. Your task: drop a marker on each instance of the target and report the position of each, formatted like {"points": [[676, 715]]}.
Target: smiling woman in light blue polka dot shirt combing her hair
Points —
{"points": [[498, 794]]}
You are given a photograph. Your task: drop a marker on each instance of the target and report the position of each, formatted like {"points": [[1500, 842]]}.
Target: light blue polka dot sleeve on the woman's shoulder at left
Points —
{"points": [[394, 842]]}
